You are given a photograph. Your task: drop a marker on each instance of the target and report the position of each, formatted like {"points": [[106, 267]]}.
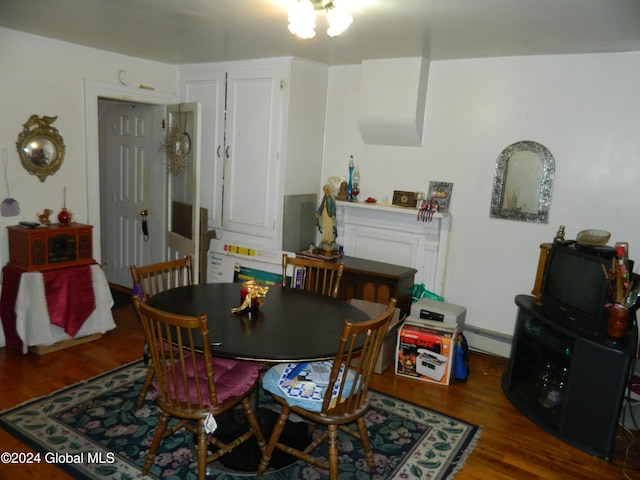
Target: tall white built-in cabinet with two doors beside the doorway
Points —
{"points": [[262, 139]]}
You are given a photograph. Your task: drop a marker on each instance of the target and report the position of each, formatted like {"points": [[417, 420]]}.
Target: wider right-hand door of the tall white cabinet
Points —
{"points": [[252, 150]]}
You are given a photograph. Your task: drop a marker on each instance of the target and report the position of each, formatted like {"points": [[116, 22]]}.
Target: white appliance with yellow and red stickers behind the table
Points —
{"points": [[234, 262]]}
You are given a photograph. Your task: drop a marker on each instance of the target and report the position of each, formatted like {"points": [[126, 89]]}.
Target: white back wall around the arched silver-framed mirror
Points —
{"points": [[584, 109]]}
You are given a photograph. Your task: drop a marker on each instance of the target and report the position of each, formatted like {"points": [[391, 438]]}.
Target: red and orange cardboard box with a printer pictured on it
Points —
{"points": [[425, 350]]}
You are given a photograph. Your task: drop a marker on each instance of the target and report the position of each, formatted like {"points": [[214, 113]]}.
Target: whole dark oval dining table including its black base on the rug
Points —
{"points": [[292, 325]]}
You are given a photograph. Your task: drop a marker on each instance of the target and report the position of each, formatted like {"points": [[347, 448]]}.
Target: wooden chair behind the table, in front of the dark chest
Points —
{"points": [[312, 275]]}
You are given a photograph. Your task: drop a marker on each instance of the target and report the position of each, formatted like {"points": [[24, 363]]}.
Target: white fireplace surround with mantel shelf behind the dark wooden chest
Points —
{"points": [[390, 234]]}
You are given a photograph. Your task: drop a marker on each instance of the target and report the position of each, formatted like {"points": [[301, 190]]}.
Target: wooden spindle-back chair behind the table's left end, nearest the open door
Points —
{"points": [[150, 280]]}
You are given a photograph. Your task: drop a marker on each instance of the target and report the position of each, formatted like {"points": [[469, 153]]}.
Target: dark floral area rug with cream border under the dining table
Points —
{"points": [[92, 431]]}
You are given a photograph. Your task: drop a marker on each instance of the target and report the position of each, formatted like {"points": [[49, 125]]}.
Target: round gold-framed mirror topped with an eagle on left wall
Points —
{"points": [[40, 147]]}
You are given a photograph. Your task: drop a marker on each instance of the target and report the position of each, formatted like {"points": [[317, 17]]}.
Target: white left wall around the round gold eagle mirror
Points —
{"points": [[46, 77]]}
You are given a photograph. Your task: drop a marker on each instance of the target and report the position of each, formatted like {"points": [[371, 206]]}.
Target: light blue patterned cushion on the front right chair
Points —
{"points": [[306, 395]]}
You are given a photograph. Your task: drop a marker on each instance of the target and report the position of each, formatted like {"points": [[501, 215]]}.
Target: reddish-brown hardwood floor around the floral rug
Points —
{"points": [[511, 447]]}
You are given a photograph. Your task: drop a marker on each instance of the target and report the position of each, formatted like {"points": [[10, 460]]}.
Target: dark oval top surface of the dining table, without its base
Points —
{"points": [[292, 325]]}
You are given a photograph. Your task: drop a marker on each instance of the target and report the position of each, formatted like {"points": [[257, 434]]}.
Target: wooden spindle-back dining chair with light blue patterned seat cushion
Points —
{"points": [[343, 401]]}
